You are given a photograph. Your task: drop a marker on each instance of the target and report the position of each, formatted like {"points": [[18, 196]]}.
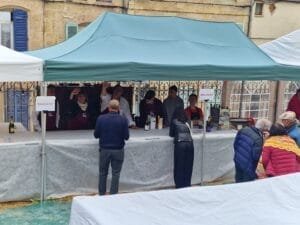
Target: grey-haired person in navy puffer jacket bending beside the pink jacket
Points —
{"points": [[248, 145]]}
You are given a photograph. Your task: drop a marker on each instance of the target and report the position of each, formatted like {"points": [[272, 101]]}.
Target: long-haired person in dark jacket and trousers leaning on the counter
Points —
{"points": [[183, 148]]}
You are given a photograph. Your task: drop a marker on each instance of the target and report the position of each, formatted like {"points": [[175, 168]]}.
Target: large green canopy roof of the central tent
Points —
{"points": [[127, 47]]}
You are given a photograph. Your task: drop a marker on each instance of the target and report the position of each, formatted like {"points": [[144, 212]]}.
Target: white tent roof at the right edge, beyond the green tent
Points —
{"points": [[284, 50]]}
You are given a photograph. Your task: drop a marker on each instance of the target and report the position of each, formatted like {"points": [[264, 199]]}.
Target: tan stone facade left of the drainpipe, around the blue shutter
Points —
{"points": [[47, 19]]}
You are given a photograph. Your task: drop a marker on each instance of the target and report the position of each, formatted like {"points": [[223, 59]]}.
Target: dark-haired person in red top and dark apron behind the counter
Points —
{"points": [[193, 112]]}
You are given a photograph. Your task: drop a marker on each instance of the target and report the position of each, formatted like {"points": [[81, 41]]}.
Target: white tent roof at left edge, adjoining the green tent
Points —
{"points": [[16, 66]]}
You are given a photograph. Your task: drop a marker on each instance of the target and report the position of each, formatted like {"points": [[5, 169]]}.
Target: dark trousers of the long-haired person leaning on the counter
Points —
{"points": [[183, 163]]}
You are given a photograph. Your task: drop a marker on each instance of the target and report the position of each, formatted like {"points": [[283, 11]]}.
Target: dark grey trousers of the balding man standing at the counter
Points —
{"points": [[115, 158]]}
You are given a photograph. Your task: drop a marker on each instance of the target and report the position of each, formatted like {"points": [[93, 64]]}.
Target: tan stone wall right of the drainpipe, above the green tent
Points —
{"points": [[222, 10]]}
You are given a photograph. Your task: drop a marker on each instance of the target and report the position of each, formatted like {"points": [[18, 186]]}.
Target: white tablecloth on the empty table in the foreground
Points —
{"points": [[273, 201]]}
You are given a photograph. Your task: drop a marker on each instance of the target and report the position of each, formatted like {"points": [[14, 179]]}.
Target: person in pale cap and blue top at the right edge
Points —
{"points": [[289, 121]]}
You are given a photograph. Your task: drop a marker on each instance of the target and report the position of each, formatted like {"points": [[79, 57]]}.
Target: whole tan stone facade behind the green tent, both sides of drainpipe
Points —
{"points": [[47, 19]]}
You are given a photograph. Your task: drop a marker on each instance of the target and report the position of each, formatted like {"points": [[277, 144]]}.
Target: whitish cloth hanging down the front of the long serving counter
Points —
{"points": [[73, 159]]}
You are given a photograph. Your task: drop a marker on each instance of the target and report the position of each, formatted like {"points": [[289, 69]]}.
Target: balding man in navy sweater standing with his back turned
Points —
{"points": [[112, 131]]}
